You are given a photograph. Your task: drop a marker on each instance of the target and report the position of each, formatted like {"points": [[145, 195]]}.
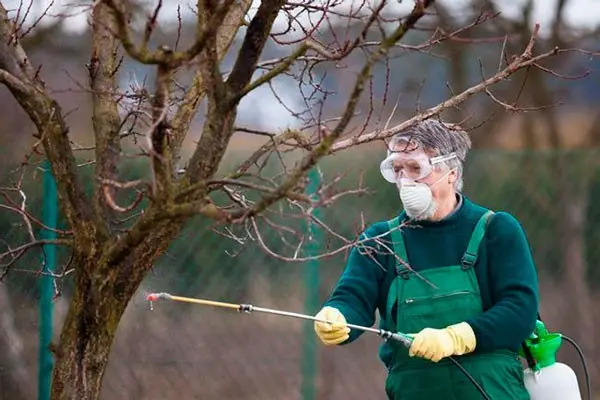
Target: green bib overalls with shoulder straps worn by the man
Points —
{"points": [[454, 298]]}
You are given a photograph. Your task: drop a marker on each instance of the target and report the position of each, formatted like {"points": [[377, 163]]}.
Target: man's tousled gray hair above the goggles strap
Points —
{"points": [[440, 138]]}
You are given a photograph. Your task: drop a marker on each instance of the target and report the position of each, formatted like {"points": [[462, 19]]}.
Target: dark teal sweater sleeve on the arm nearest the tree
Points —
{"points": [[357, 291]]}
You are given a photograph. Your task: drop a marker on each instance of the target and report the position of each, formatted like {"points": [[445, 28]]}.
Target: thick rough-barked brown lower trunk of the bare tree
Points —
{"points": [[102, 293]]}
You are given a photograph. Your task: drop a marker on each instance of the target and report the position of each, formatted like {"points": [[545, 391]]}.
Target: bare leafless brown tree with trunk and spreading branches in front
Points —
{"points": [[108, 261]]}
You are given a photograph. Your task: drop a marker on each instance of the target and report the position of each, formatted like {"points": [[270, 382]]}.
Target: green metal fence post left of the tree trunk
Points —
{"points": [[50, 219]]}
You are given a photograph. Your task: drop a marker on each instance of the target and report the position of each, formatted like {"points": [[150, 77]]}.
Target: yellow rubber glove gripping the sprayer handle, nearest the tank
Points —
{"points": [[435, 344]]}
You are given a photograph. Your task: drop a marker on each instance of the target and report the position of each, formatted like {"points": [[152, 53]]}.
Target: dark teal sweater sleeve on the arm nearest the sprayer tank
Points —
{"points": [[513, 284]]}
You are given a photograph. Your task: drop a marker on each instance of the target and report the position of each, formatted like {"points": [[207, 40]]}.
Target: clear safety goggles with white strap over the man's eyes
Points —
{"points": [[413, 165]]}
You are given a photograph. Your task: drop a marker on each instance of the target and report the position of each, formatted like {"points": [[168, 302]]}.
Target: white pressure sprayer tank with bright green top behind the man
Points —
{"points": [[549, 379]]}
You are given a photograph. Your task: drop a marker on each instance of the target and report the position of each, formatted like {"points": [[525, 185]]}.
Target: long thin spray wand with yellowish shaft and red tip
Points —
{"points": [[404, 339]]}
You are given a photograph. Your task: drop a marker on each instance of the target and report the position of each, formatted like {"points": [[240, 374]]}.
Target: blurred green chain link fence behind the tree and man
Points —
{"points": [[183, 351]]}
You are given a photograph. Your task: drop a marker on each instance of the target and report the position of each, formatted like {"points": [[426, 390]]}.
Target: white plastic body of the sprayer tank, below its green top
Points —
{"points": [[554, 382]]}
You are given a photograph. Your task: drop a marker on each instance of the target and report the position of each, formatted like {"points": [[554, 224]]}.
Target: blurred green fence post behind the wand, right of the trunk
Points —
{"points": [[311, 285]]}
